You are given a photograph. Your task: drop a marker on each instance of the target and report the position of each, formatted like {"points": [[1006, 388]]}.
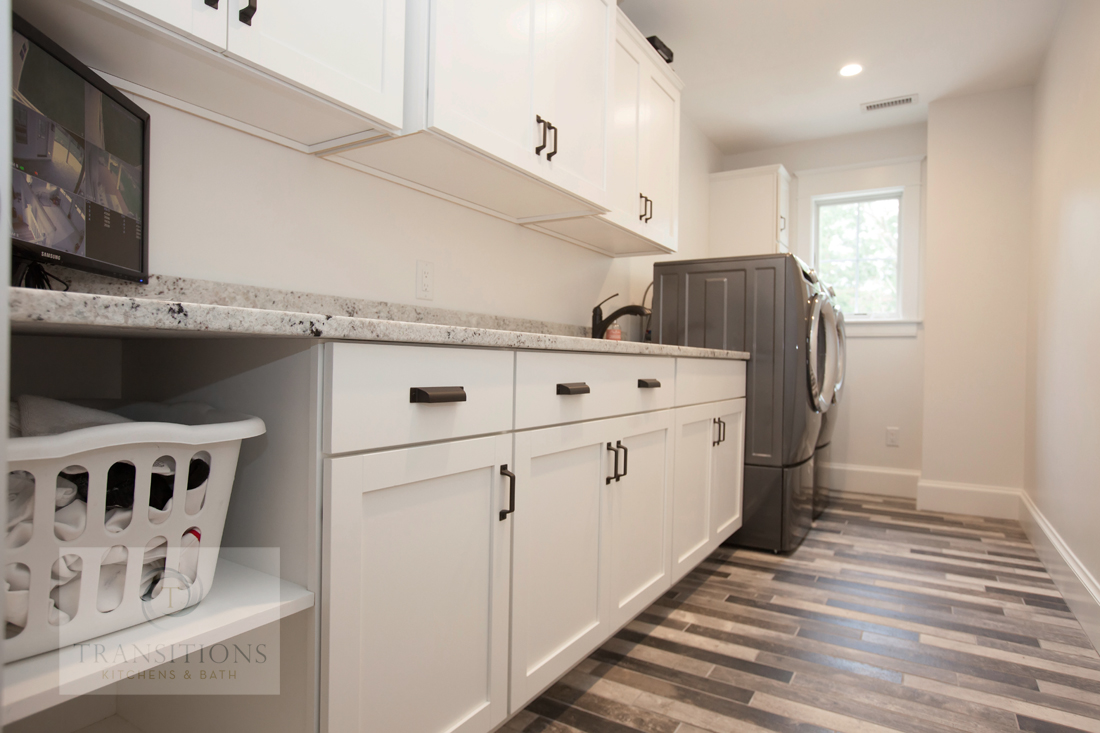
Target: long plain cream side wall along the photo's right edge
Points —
{"points": [[1063, 415]]}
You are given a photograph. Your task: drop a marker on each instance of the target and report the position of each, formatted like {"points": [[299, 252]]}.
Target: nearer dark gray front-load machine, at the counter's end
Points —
{"points": [[772, 308]]}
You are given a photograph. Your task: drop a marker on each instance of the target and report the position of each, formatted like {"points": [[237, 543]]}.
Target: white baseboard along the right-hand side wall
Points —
{"points": [[1077, 585]]}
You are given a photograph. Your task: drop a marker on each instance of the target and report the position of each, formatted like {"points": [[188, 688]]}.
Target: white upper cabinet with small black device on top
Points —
{"points": [[644, 157]]}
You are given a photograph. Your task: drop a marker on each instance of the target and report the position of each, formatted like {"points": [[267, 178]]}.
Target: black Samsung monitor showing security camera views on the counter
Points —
{"points": [[80, 163]]}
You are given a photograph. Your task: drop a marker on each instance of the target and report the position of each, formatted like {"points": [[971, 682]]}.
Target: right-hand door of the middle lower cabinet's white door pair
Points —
{"points": [[637, 557]]}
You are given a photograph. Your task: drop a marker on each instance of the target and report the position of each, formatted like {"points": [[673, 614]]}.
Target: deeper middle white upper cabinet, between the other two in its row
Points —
{"points": [[505, 107]]}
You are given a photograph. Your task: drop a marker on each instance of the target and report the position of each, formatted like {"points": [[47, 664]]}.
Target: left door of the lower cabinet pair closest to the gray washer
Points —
{"points": [[696, 435]]}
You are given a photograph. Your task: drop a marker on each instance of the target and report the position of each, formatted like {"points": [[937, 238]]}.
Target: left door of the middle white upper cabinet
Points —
{"points": [[482, 74]]}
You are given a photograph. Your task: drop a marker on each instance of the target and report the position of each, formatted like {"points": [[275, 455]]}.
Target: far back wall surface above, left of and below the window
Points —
{"points": [[885, 378]]}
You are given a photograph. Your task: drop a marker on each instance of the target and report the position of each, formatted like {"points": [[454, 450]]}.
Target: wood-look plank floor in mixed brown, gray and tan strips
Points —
{"points": [[886, 619]]}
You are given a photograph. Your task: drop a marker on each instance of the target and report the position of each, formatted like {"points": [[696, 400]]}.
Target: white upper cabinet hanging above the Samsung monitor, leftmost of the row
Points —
{"points": [[305, 74]]}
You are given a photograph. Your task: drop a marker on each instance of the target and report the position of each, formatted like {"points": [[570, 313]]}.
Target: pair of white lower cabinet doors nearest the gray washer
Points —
{"points": [[707, 508]]}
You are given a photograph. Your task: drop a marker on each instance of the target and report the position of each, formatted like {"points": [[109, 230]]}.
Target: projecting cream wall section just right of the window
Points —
{"points": [[978, 225]]}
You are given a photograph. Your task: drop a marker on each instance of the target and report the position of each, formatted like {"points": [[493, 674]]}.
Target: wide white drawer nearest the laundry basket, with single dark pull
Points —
{"points": [[368, 401]]}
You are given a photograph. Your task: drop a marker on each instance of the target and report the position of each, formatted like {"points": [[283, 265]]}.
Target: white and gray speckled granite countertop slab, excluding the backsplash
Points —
{"points": [[54, 312]]}
